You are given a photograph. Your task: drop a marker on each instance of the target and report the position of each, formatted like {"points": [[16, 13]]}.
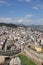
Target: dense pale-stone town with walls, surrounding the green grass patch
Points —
{"points": [[20, 40]]}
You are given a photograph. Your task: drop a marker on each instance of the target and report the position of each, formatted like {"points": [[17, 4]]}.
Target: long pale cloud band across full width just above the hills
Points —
{"points": [[24, 20]]}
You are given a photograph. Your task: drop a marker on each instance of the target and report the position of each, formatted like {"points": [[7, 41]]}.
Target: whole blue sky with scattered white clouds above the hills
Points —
{"points": [[28, 12]]}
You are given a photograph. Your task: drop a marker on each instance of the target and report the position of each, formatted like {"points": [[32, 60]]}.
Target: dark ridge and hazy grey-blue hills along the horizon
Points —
{"points": [[36, 27]]}
